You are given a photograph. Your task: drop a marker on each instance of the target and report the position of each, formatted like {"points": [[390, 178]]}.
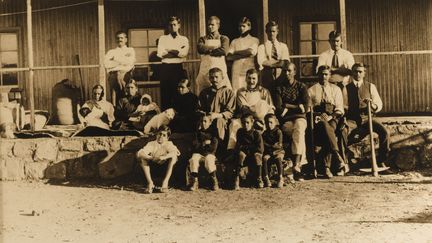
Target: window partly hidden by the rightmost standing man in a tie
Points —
{"points": [[313, 40]]}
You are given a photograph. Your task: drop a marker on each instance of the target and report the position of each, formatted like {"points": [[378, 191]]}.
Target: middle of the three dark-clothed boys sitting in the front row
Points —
{"points": [[249, 148]]}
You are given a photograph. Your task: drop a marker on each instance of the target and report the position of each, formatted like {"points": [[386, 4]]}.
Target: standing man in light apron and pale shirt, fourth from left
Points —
{"points": [[242, 52]]}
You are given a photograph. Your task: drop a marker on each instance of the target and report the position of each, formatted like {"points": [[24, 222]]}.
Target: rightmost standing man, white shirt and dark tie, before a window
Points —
{"points": [[340, 60]]}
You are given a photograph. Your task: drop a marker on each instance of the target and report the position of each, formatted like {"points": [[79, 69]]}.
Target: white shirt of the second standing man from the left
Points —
{"points": [[167, 43]]}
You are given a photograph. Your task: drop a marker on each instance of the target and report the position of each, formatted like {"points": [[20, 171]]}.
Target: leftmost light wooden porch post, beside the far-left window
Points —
{"points": [[30, 64]]}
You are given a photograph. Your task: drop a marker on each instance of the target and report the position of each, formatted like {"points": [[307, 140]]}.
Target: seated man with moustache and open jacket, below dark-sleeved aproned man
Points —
{"points": [[219, 101]]}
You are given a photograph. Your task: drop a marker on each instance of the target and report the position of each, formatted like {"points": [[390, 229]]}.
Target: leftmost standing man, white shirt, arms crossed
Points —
{"points": [[119, 62]]}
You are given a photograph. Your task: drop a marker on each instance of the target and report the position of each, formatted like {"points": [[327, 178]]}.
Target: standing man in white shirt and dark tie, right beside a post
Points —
{"points": [[271, 56]]}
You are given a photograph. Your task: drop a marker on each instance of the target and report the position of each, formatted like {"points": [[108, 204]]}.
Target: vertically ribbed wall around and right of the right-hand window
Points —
{"points": [[403, 81]]}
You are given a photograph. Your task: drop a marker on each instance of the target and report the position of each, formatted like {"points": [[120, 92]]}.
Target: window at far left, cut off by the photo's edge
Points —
{"points": [[9, 57]]}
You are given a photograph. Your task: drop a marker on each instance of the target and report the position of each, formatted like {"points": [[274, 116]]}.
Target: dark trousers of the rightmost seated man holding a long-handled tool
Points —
{"points": [[355, 132]]}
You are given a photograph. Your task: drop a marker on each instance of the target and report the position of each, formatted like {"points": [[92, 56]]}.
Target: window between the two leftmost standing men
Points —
{"points": [[144, 41]]}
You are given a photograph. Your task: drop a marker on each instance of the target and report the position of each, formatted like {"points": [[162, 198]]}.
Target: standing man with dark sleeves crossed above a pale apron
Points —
{"points": [[213, 48]]}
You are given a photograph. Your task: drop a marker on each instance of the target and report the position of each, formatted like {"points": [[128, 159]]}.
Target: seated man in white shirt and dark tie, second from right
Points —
{"points": [[327, 105]]}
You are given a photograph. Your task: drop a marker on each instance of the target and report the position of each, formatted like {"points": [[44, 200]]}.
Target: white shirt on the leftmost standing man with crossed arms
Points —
{"points": [[120, 59]]}
